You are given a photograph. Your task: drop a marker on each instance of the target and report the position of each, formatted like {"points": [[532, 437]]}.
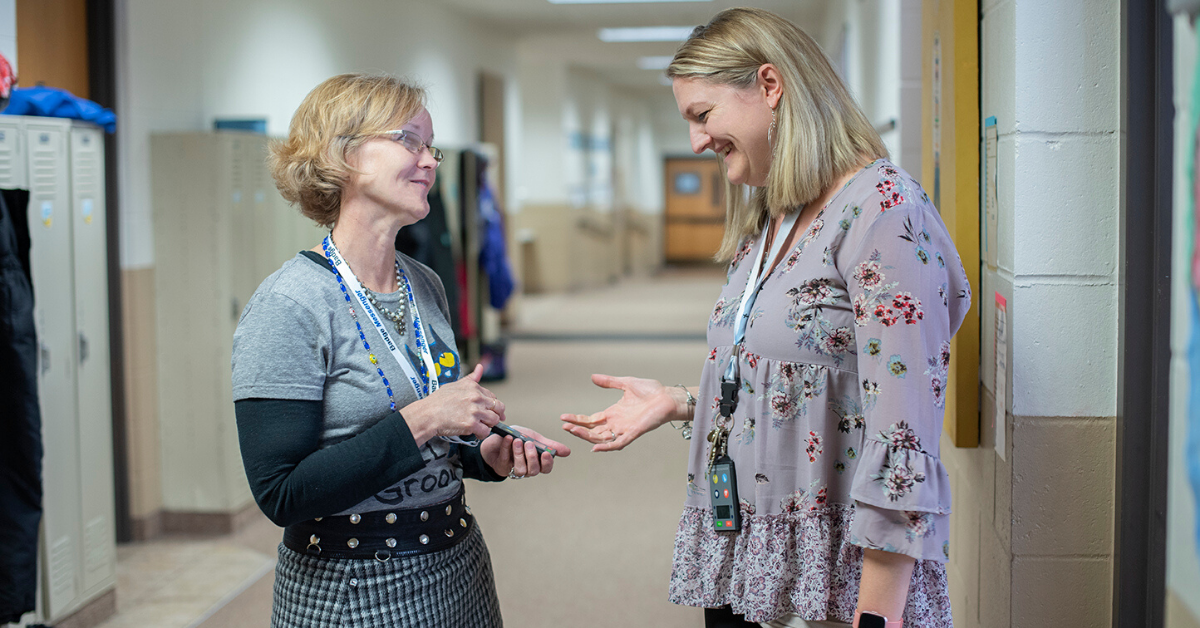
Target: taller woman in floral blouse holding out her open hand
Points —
{"points": [[815, 495]]}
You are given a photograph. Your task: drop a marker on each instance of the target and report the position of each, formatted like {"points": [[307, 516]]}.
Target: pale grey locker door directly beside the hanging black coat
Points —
{"points": [[50, 225]]}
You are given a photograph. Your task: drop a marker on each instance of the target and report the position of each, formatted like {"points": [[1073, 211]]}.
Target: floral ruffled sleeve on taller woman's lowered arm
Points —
{"points": [[909, 295]]}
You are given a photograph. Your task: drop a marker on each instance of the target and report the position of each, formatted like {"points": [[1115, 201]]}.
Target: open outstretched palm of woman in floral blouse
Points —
{"points": [[645, 406]]}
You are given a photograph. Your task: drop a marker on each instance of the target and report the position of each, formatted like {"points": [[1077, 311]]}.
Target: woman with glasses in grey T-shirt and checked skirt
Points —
{"points": [[356, 421]]}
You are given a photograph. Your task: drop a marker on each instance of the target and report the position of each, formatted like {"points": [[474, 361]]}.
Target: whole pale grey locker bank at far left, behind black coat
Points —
{"points": [[62, 164]]}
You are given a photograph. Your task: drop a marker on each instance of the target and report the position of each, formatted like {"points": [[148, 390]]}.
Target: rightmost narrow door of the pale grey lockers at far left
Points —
{"points": [[93, 381]]}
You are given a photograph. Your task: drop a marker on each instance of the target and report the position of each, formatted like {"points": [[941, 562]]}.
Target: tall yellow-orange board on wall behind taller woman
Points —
{"points": [[951, 176]]}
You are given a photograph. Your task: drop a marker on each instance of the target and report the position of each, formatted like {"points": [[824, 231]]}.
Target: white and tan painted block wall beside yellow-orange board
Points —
{"points": [[1033, 531]]}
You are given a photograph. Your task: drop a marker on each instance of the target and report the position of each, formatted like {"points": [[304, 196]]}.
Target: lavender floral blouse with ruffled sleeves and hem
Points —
{"points": [[836, 435]]}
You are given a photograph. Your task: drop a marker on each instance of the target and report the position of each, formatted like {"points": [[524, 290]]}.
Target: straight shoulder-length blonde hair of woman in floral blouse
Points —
{"points": [[820, 135]]}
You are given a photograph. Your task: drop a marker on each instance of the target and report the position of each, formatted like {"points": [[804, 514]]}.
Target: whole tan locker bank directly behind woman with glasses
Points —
{"points": [[220, 230]]}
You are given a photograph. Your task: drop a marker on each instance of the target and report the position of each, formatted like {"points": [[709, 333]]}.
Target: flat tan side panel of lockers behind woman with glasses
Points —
{"points": [[196, 190]]}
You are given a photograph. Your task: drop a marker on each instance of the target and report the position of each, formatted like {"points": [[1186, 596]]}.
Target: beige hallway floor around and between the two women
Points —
{"points": [[589, 546]]}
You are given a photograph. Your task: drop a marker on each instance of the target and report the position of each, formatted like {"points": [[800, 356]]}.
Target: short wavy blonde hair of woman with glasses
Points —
{"points": [[335, 118]]}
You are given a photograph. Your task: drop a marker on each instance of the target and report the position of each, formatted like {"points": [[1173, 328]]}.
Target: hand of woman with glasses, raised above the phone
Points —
{"points": [[458, 409]]}
